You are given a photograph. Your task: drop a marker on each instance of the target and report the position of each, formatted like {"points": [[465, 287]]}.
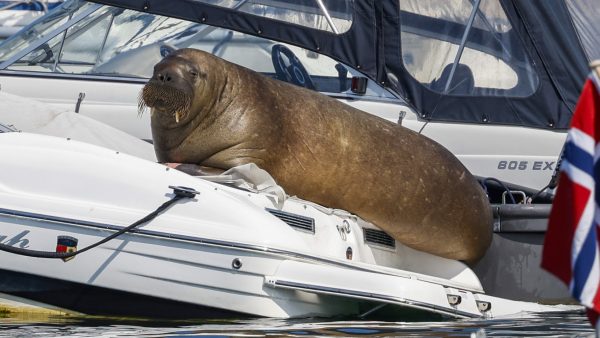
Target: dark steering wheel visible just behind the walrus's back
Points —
{"points": [[291, 71]]}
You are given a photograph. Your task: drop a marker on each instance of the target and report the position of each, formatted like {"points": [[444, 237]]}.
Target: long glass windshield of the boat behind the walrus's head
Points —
{"points": [[96, 40]]}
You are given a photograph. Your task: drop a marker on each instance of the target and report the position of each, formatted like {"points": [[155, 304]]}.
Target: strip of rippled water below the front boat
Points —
{"points": [[573, 324]]}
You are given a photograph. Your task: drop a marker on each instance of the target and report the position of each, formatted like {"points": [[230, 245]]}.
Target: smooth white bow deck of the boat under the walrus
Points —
{"points": [[90, 183]]}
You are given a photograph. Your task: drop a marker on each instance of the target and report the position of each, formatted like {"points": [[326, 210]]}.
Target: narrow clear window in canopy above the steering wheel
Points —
{"points": [[332, 16]]}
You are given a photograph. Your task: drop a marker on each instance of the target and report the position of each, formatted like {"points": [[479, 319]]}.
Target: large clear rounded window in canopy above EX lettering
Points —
{"points": [[466, 48]]}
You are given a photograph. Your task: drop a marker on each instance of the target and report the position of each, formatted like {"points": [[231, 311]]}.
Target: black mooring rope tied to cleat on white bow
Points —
{"points": [[180, 193]]}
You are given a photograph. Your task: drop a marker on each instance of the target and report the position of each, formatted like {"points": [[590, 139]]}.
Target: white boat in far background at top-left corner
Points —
{"points": [[16, 14]]}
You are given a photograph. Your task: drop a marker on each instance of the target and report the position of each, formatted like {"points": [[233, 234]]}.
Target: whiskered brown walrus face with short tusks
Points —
{"points": [[170, 92]]}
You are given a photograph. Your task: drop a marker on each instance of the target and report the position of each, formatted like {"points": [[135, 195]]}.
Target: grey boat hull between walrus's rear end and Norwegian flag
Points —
{"points": [[511, 267]]}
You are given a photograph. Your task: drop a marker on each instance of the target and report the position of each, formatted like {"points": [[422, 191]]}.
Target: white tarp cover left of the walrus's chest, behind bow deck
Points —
{"points": [[31, 116]]}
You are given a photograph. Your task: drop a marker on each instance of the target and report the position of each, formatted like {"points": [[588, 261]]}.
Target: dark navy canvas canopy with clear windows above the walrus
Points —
{"points": [[513, 62]]}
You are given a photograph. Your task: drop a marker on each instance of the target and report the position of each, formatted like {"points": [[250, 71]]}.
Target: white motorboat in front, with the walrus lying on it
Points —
{"points": [[225, 252]]}
